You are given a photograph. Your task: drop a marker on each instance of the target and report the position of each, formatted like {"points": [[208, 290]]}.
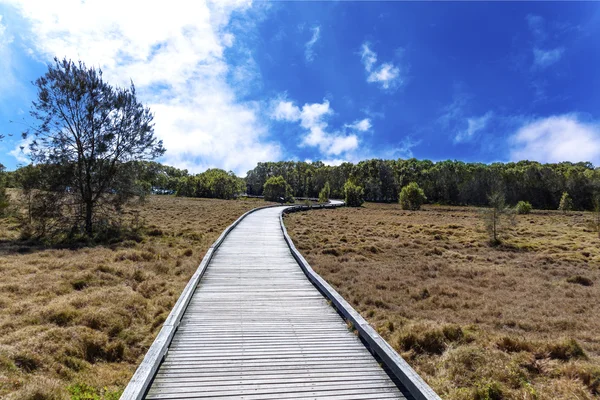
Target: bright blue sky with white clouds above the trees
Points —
{"points": [[235, 83]]}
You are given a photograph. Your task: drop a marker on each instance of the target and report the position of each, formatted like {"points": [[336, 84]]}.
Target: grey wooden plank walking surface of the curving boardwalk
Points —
{"points": [[256, 328]]}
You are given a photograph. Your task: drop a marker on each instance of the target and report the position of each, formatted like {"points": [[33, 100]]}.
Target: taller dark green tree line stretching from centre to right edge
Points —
{"points": [[444, 182]]}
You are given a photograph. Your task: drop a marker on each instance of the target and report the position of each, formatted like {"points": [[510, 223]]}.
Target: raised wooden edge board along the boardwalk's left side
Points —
{"points": [[140, 382]]}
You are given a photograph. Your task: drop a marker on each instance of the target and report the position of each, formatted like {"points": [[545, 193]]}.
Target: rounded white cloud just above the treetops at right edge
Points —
{"points": [[556, 139]]}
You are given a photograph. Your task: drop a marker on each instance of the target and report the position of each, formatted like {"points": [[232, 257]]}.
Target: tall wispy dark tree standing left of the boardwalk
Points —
{"points": [[87, 132]]}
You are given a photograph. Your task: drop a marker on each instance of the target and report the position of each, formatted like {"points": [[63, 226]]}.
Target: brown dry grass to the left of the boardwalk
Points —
{"points": [[76, 323]]}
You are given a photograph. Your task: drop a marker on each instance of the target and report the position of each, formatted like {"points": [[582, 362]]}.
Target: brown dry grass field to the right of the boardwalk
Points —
{"points": [[520, 321]]}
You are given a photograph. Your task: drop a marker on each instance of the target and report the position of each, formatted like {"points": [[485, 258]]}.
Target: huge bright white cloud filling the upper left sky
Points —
{"points": [[175, 56]]}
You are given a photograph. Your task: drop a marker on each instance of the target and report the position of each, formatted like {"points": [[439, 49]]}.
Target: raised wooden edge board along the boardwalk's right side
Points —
{"points": [[417, 387]]}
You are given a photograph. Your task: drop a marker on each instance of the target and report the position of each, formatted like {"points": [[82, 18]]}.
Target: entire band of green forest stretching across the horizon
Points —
{"points": [[444, 182]]}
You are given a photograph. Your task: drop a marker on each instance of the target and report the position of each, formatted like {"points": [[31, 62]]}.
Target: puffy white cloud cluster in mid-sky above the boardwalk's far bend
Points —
{"points": [[312, 120]]}
